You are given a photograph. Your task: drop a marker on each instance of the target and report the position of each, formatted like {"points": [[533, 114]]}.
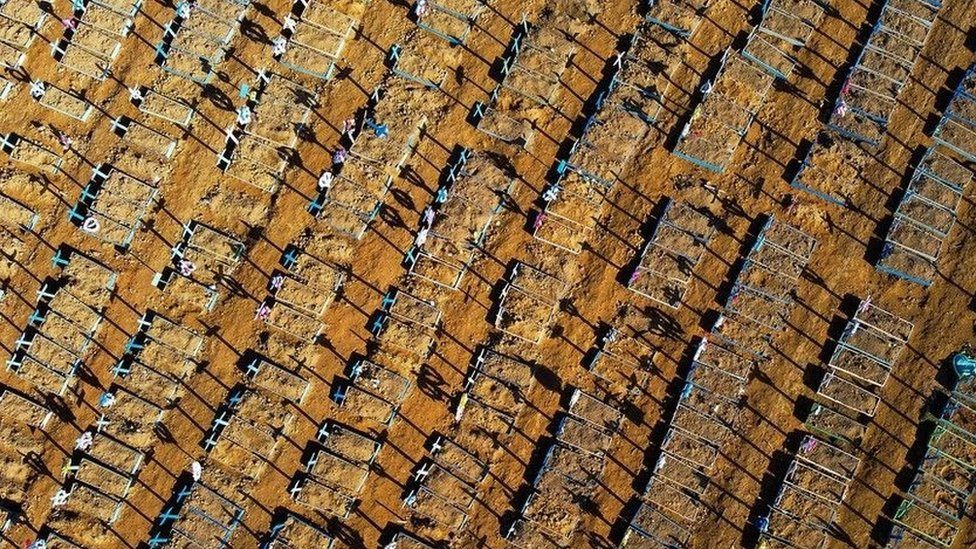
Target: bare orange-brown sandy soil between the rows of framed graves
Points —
{"points": [[751, 463]]}
